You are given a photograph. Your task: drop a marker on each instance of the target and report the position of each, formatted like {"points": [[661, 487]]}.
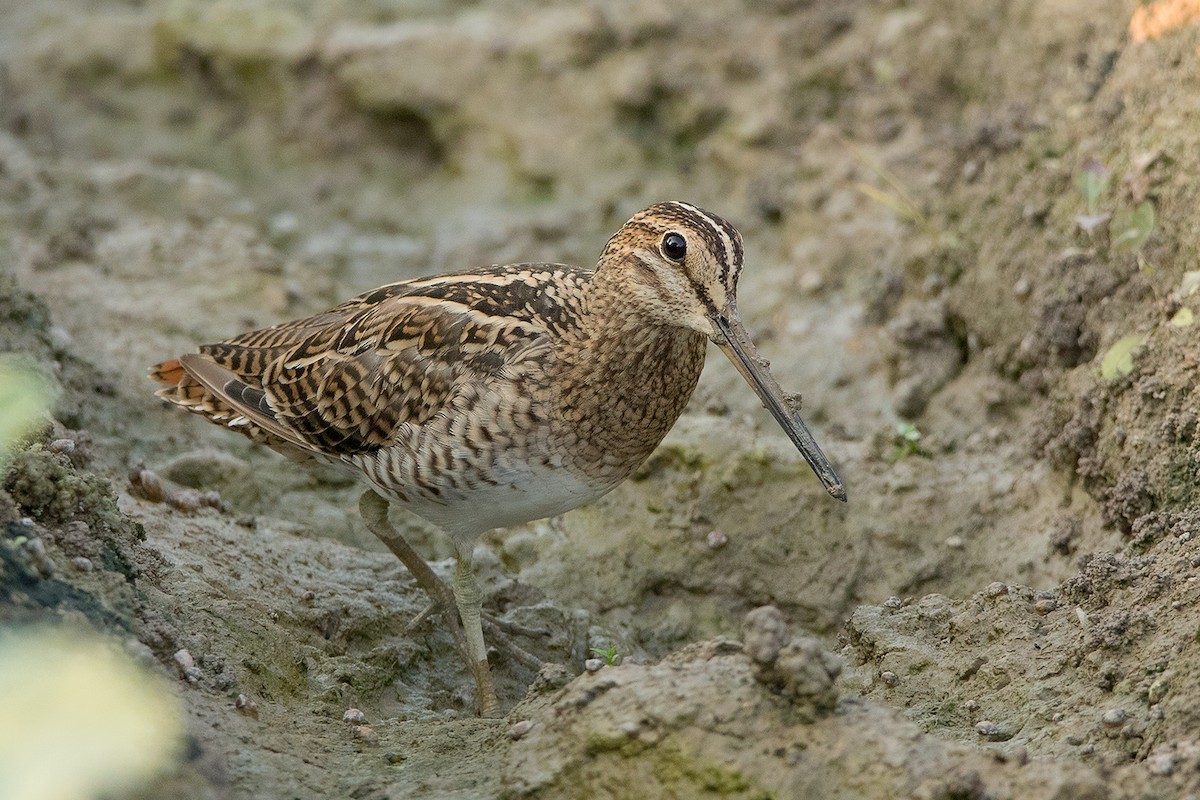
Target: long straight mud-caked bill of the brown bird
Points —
{"points": [[736, 344]]}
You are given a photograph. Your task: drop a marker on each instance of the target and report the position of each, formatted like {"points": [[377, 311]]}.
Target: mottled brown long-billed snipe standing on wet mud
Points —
{"points": [[500, 396]]}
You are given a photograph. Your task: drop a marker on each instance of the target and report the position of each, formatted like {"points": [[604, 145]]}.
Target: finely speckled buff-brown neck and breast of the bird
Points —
{"points": [[625, 381]]}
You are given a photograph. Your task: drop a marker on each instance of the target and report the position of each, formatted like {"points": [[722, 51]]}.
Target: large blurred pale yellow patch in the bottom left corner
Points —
{"points": [[80, 719]]}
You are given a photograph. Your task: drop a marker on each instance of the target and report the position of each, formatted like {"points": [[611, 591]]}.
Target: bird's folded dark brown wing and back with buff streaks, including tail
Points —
{"points": [[345, 382]]}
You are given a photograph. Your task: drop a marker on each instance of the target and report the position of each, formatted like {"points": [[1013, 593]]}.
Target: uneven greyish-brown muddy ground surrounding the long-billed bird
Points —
{"points": [[1007, 607]]}
